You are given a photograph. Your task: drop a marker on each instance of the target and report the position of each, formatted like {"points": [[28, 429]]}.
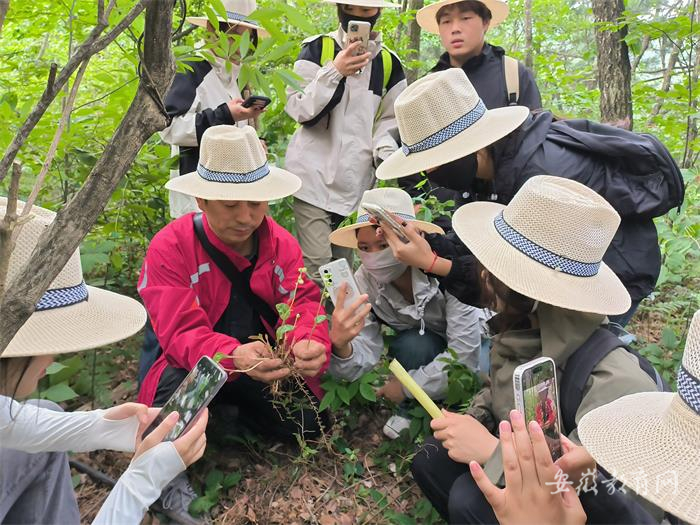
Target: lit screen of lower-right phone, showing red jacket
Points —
{"points": [[541, 403]]}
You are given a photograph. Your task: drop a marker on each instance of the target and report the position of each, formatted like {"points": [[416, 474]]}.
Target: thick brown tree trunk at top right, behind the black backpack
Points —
{"points": [[614, 73]]}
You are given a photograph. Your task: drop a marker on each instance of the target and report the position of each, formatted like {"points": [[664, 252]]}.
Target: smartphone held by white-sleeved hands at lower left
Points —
{"points": [[191, 397]]}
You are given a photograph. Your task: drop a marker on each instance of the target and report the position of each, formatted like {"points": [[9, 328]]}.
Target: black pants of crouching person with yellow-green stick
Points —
{"points": [[449, 486]]}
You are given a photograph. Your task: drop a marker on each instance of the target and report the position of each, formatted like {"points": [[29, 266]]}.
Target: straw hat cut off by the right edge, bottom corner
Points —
{"points": [[651, 441]]}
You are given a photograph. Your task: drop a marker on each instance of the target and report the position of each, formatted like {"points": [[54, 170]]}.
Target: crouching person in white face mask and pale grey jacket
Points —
{"points": [[426, 319]]}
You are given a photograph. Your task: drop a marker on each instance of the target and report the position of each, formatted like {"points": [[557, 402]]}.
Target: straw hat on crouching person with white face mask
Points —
{"points": [[392, 200]]}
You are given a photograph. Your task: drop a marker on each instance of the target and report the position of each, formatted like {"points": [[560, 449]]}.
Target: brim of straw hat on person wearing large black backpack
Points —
{"points": [[494, 125]]}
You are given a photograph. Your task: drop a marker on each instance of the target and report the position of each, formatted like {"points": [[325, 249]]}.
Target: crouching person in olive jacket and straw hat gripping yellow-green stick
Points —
{"points": [[540, 269]]}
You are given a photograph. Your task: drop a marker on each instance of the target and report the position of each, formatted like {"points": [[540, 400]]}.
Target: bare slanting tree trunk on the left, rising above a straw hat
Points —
{"points": [[144, 117]]}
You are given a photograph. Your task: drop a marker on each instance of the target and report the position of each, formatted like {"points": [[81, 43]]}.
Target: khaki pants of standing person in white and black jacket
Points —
{"points": [[314, 225]]}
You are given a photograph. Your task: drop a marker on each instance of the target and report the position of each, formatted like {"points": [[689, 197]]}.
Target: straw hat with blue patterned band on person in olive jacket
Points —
{"points": [[548, 244]]}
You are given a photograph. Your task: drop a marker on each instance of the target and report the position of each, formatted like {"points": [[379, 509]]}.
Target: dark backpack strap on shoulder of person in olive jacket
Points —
{"points": [[580, 365]]}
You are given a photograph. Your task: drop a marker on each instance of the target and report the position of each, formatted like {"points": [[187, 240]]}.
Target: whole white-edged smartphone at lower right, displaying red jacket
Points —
{"points": [[536, 397]]}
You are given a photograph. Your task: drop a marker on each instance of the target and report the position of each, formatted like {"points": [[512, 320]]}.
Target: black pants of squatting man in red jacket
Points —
{"points": [[255, 406]]}
